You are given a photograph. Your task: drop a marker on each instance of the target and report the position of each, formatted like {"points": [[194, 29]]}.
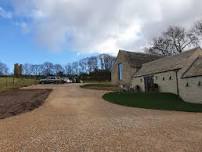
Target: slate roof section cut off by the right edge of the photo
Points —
{"points": [[195, 69]]}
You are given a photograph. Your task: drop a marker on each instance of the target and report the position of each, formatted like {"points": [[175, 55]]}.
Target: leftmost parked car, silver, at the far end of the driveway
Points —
{"points": [[52, 80]]}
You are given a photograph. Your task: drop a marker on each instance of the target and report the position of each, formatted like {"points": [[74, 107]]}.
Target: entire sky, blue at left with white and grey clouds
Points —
{"points": [[62, 31]]}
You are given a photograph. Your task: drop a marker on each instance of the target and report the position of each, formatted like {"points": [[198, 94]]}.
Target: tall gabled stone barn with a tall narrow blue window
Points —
{"points": [[127, 64]]}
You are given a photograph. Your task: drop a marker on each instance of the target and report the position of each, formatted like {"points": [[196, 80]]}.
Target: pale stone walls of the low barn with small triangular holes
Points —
{"points": [[190, 89]]}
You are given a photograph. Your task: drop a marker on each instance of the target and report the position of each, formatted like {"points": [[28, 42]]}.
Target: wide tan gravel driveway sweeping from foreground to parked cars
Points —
{"points": [[75, 119]]}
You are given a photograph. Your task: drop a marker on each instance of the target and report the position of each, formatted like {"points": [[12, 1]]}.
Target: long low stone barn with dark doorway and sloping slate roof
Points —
{"points": [[180, 74]]}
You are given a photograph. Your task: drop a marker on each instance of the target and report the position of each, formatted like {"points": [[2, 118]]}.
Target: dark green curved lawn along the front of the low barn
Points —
{"points": [[161, 101]]}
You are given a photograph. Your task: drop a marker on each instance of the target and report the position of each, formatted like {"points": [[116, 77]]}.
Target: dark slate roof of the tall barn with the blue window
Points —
{"points": [[136, 59]]}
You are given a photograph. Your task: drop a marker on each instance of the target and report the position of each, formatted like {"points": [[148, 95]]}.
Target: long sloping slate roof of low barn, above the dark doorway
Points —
{"points": [[166, 63]]}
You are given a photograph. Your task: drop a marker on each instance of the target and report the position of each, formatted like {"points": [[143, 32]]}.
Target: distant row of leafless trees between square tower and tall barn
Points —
{"points": [[85, 65]]}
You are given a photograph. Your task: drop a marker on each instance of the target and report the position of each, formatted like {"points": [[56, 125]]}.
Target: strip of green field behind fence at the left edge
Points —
{"points": [[11, 83]]}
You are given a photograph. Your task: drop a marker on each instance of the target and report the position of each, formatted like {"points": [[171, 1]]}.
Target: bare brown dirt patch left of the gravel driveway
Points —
{"points": [[18, 101]]}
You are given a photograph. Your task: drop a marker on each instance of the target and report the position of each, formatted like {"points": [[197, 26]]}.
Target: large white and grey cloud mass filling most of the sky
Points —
{"points": [[104, 26]]}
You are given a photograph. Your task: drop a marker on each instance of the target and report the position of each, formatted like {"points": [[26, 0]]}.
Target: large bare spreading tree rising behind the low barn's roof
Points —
{"points": [[173, 41]]}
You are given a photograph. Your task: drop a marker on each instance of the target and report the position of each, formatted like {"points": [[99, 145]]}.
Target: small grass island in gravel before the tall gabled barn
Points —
{"points": [[100, 86]]}
